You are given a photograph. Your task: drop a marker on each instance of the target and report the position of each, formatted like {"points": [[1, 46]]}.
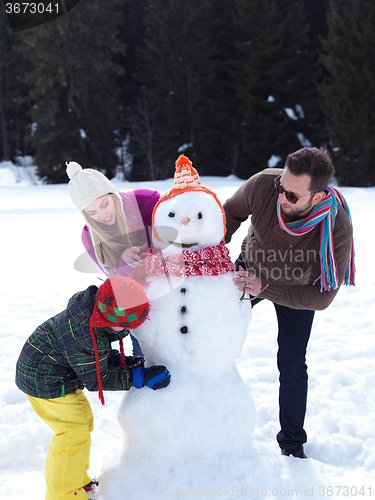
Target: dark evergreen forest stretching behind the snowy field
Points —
{"points": [[236, 85]]}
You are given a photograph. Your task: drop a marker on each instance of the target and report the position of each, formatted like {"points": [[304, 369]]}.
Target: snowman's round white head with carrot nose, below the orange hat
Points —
{"points": [[196, 218]]}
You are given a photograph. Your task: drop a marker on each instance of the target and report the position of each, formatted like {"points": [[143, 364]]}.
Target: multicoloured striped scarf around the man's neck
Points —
{"points": [[324, 213]]}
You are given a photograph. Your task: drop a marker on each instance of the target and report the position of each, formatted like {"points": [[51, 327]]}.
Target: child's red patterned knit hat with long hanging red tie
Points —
{"points": [[119, 302]]}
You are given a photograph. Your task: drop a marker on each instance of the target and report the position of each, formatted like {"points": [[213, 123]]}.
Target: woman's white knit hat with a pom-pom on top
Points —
{"points": [[86, 185]]}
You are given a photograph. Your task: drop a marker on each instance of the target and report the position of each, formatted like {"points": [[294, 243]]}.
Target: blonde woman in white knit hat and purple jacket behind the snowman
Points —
{"points": [[118, 224]]}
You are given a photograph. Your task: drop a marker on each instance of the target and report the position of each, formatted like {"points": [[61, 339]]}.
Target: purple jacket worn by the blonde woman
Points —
{"points": [[138, 207]]}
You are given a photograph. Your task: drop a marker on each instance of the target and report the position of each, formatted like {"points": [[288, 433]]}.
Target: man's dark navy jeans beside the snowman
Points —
{"points": [[293, 335]]}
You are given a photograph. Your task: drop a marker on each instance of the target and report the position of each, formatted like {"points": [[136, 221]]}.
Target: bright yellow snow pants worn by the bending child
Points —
{"points": [[68, 457]]}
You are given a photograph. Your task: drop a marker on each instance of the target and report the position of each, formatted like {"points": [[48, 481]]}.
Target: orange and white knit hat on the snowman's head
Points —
{"points": [[186, 179]]}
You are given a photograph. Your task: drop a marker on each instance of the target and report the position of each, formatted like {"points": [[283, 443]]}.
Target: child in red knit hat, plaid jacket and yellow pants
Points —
{"points": [[70, 351]]}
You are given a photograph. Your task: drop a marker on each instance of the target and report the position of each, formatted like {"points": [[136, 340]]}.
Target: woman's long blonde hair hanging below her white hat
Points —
{"points": [[109, 248]]}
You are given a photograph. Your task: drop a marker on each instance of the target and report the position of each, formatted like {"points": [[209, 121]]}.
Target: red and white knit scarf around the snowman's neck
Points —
{"points": [[208, 261]]}
